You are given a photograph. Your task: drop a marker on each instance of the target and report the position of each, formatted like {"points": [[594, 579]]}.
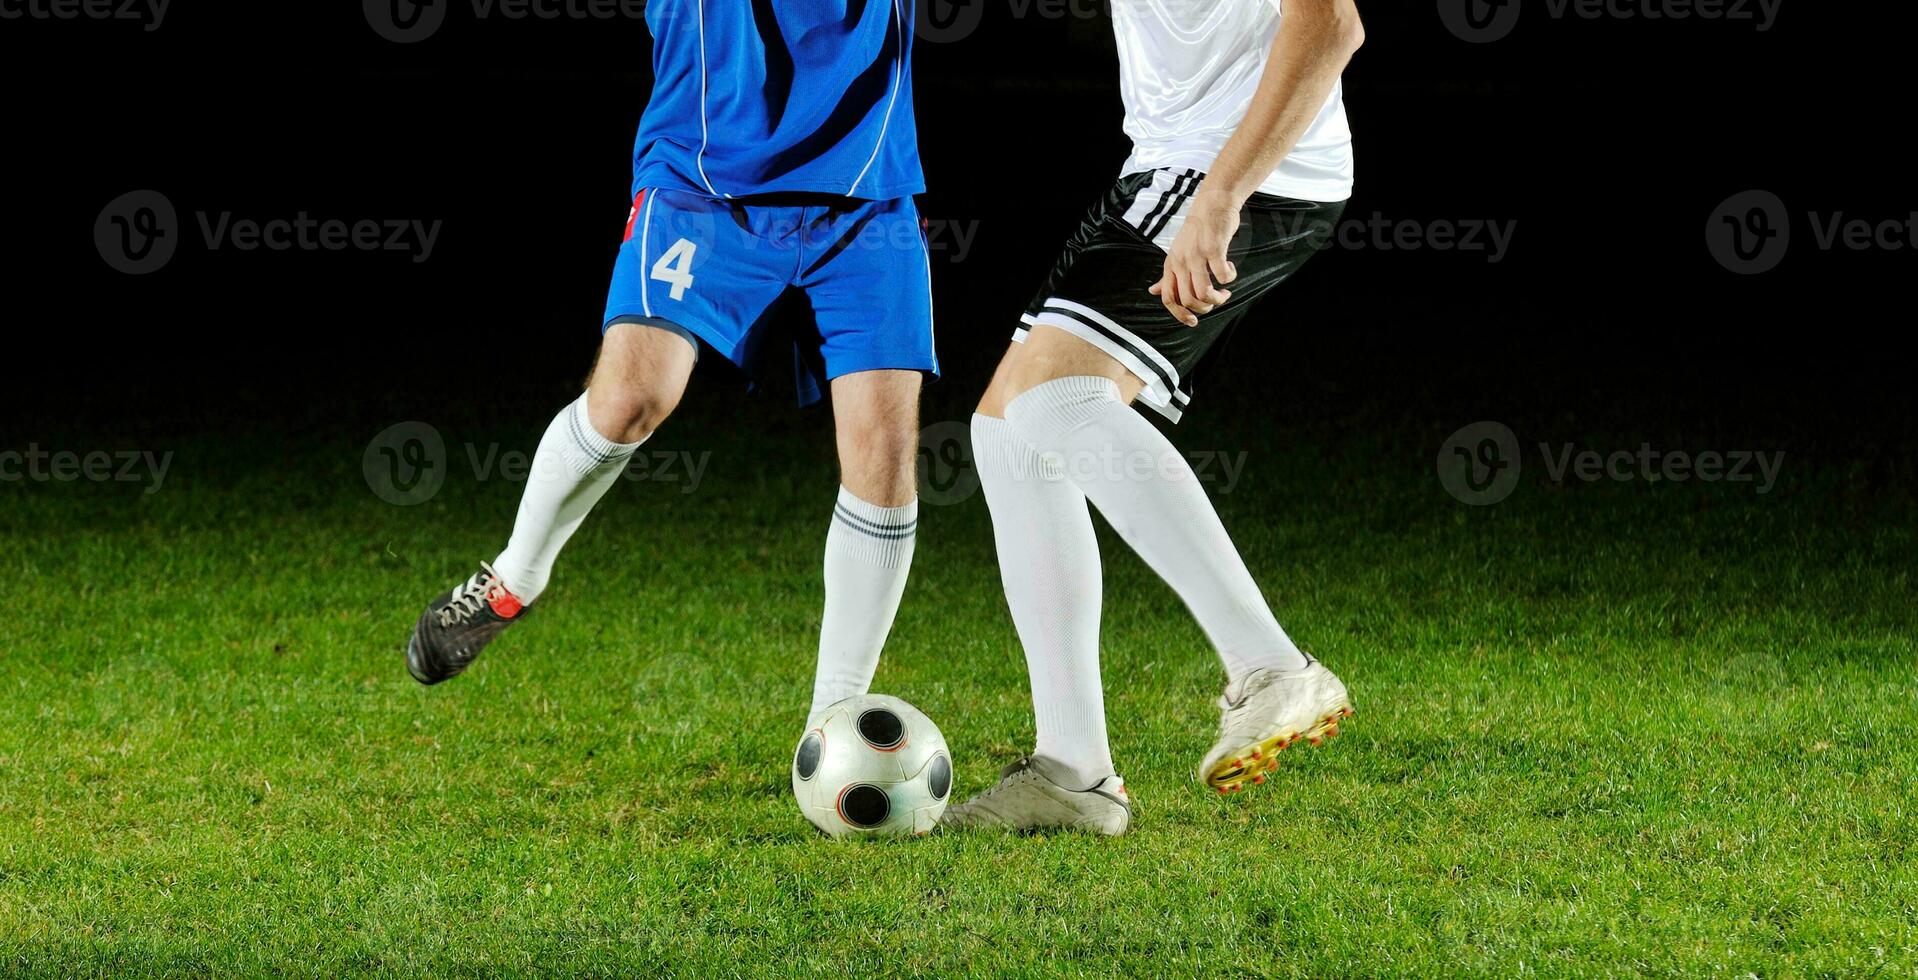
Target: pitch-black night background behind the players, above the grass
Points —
{"points": [[1606, 141]]}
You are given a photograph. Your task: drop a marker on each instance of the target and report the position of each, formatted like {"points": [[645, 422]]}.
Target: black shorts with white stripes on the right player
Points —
{"points": [[1119, 250]]}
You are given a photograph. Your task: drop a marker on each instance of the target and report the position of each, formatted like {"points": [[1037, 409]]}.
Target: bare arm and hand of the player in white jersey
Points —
{"points": [[1317, 39]]}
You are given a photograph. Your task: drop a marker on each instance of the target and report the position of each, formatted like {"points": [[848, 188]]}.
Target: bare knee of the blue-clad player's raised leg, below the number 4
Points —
{"points": [[640, 379]]}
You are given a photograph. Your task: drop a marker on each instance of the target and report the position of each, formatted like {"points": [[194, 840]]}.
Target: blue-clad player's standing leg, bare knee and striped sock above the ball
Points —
{"points": [[876, 521]]}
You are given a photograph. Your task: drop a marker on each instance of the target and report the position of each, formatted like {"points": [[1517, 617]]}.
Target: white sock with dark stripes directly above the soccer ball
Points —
{"points": [[870, 549]]}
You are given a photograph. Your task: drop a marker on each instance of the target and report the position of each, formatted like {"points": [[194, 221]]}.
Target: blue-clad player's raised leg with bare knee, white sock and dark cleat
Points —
{"points": [[638, 381]]}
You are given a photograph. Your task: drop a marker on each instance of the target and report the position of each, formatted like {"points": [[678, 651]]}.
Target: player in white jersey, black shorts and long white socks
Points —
{"points": [[1240, 170]]}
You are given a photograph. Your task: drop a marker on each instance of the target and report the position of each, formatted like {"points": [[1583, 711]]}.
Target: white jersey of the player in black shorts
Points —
{"points": [[1188, 72]]}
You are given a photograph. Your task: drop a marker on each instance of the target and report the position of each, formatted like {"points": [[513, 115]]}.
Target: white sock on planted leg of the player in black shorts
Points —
{"points": [[1050, 567]]}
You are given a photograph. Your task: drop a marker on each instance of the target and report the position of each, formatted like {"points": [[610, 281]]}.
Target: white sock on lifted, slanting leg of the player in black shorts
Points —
{"points": [[1154, 500]]}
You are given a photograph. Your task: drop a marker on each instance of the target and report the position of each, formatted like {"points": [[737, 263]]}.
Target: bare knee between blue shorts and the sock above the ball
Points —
{"points": [[876, 419]]}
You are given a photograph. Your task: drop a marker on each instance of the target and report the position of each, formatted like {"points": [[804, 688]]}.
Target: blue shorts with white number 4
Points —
{"points": [[714, 268]]}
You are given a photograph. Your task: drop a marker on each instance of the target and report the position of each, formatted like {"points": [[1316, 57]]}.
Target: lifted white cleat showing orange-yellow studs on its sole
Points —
{"points": [[1269, 712]]}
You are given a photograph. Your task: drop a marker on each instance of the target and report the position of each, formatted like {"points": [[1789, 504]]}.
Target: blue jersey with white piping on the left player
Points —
{"points": [[782, 97]]}
